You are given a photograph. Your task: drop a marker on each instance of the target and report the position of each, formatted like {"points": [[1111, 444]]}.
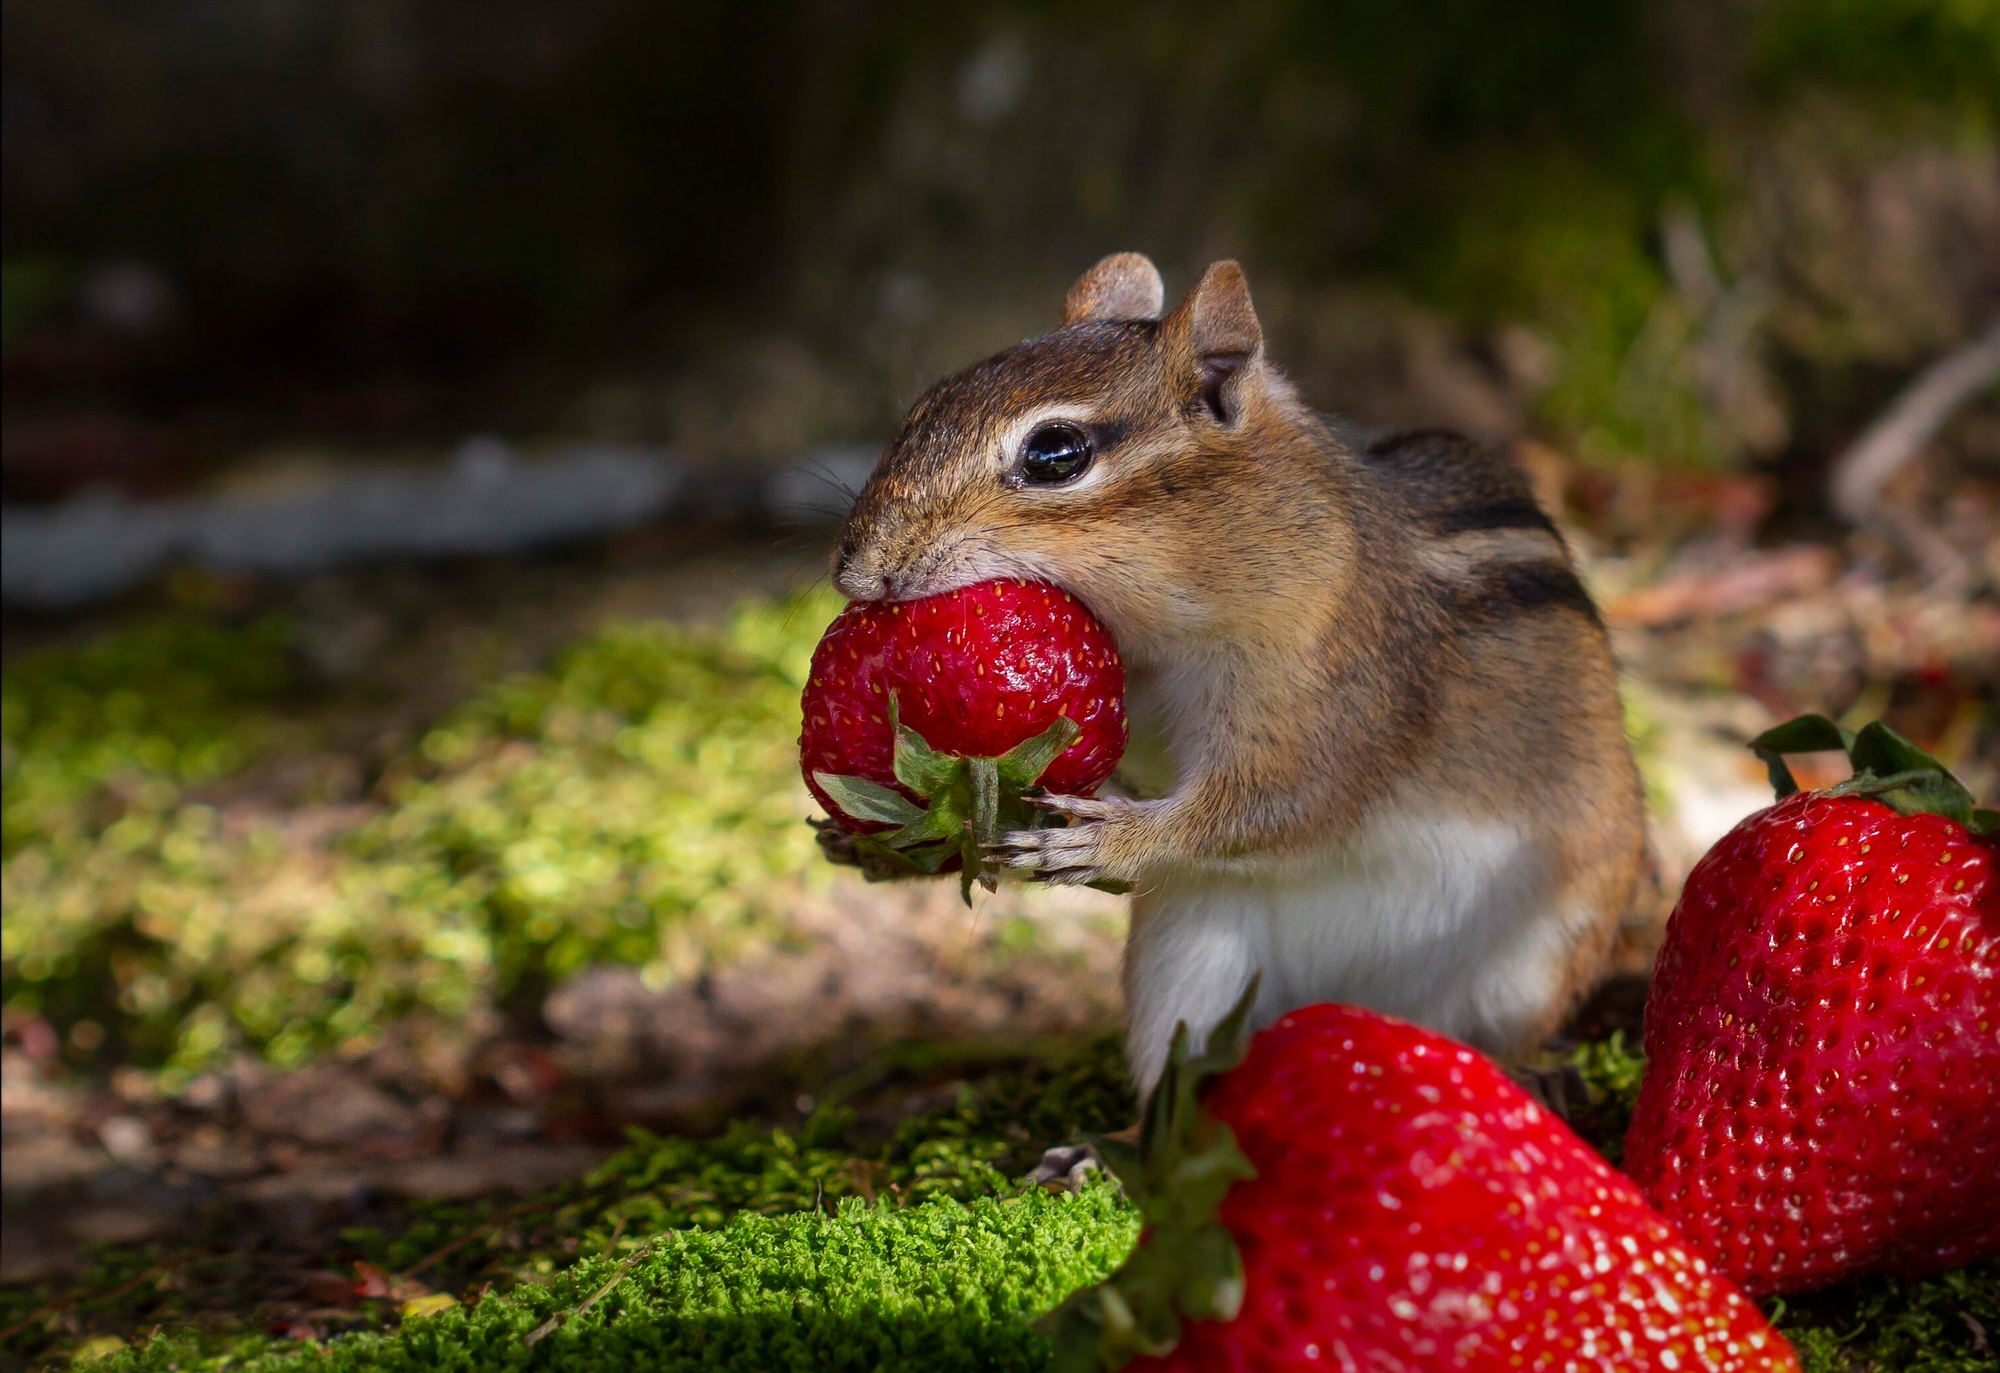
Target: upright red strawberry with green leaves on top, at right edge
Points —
{"points": [[1823, 1038]]}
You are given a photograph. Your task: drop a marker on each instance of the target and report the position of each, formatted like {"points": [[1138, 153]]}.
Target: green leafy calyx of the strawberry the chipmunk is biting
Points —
{"points": [[969, 804]]}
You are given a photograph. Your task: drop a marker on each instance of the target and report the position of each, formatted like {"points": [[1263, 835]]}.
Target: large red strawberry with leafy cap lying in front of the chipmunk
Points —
{"points": [[1403, 1208]]}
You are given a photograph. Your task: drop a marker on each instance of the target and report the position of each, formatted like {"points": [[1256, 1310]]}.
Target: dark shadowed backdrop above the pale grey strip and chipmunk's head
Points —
{"points": [[1701, 235]]}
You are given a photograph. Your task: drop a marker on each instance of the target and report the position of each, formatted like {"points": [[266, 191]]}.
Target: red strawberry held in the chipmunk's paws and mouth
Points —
{"points": [[961, 704]]}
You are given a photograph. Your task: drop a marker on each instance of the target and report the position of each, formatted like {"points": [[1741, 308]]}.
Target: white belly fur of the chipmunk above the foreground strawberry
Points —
{"points": [[1439, 920]]}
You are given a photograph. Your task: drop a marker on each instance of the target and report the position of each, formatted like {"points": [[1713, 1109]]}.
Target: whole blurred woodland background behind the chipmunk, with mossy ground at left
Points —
{"points": [[423, 425]]}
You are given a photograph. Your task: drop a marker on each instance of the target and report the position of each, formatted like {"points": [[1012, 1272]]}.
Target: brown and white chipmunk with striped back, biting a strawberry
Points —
{"points": [[1397, 764]]}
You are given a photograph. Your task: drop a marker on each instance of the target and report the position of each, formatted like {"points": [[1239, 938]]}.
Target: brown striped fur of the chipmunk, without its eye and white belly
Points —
{"points": [[1325, 623]]}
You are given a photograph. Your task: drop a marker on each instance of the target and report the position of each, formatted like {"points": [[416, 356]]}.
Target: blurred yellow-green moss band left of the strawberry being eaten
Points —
{"points": [[635, 804]]}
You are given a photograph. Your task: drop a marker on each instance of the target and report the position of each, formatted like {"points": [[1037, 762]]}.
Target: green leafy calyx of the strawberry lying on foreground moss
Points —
{"points": [[1179, 1174]]}
